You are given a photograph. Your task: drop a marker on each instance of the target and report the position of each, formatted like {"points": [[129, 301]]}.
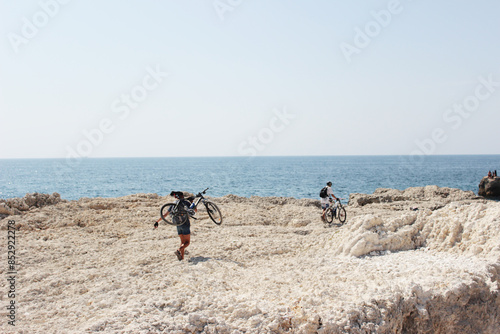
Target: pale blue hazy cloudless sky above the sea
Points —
{"points": [[248, 78]]}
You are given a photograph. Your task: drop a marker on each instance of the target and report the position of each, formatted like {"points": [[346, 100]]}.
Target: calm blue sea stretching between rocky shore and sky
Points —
{"points": [[298, 177]]}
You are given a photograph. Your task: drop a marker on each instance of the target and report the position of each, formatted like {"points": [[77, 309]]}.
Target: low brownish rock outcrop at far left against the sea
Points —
{"points": [[13, 206]]}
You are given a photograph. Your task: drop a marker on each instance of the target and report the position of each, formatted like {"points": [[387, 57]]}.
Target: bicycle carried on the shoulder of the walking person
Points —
{"points": [[179, 212]]}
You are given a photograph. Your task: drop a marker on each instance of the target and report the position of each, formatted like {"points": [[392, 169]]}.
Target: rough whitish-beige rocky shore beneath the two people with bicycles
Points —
{"points": [[422, 260]]}
